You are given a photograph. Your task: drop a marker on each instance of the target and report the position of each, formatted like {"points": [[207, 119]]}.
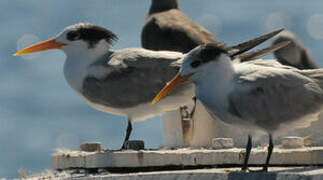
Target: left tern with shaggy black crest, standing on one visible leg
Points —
{"points": [[121, 82]]}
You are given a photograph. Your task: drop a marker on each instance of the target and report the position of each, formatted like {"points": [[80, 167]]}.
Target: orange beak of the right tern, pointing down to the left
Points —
{"points": [[176, 81]]}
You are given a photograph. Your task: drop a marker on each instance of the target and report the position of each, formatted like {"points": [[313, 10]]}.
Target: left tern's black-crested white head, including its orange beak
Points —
{"points": [[77, 39]]}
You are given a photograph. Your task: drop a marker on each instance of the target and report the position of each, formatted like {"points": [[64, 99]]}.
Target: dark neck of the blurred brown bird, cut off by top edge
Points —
{"points": [[163, 5]]}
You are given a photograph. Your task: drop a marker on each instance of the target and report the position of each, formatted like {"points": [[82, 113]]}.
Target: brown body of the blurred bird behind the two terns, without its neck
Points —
{"points": [[173, 31]]}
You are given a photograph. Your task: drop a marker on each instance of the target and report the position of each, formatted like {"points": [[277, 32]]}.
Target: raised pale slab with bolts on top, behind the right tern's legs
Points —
{"points": [[182, 158]]}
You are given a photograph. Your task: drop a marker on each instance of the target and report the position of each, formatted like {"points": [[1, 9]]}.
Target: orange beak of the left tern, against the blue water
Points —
{"points": [[42, 46]]}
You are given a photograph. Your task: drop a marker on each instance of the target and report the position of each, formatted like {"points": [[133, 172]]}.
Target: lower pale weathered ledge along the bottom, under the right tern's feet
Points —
{"points": [[275, 173]]}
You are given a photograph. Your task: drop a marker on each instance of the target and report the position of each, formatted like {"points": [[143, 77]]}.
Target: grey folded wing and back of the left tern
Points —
{"points": [[135, 77]]}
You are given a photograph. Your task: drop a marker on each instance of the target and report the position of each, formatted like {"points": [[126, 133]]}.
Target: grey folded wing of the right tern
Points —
{"points": [[268, 97]]}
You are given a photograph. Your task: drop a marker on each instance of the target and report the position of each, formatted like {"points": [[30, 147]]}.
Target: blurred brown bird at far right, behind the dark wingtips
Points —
{"points": [[295, 54]]}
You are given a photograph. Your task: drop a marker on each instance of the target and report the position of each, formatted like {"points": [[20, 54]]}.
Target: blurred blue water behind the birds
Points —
{"points": [[39, 111]]}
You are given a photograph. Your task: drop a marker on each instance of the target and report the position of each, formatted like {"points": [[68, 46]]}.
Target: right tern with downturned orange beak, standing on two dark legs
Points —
{"points": [[263, 95]]}
